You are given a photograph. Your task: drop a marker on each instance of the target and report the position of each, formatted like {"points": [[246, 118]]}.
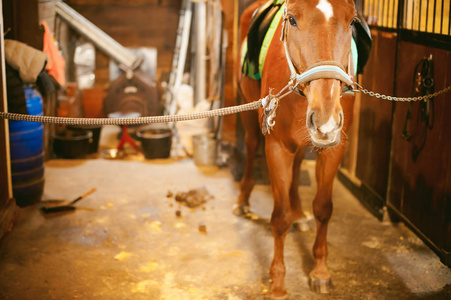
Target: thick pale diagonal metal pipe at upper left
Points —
{"points": [[94, 34]]}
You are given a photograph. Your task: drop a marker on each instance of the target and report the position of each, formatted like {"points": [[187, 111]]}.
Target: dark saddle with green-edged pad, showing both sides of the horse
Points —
{"points": [[262, 24]]}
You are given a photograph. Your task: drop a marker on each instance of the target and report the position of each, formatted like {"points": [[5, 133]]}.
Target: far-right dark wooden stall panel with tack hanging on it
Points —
{"points": [[420, 189]]}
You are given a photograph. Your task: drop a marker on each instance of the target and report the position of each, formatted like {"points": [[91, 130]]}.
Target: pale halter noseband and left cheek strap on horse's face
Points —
{"points": [[321, 70]]}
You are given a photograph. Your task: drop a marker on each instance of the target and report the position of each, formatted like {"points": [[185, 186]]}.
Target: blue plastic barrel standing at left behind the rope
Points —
{"points": [[27, 153]]}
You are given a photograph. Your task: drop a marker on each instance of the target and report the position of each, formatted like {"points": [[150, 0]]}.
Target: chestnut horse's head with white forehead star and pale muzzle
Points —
{"points": [[319, 31]]}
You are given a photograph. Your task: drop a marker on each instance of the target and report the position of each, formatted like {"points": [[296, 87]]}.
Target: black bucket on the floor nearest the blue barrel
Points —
{"points": [[72, 143]]}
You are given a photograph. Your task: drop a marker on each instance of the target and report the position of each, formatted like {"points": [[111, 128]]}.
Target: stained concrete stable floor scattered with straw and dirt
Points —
{"points": [[126, 242]]}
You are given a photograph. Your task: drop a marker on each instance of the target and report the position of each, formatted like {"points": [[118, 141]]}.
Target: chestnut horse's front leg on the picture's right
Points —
{"points": [[327, 162]]}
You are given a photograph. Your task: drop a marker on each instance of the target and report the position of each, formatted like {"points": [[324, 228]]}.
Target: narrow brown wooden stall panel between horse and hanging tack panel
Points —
{"points": [[373, 154]]}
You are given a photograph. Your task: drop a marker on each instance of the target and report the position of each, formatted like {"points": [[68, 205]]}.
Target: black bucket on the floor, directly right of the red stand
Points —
{"points": [[155, 142]]}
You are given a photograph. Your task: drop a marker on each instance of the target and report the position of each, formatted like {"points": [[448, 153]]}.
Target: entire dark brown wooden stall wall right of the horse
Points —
{"points": [[388, 176]]}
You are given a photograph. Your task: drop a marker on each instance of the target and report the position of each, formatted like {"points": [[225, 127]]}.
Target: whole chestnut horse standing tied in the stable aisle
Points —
{"points": [[315, 31]]}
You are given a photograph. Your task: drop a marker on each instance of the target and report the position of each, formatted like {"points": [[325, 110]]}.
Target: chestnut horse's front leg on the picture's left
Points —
{"points": [[280, 165]]}
